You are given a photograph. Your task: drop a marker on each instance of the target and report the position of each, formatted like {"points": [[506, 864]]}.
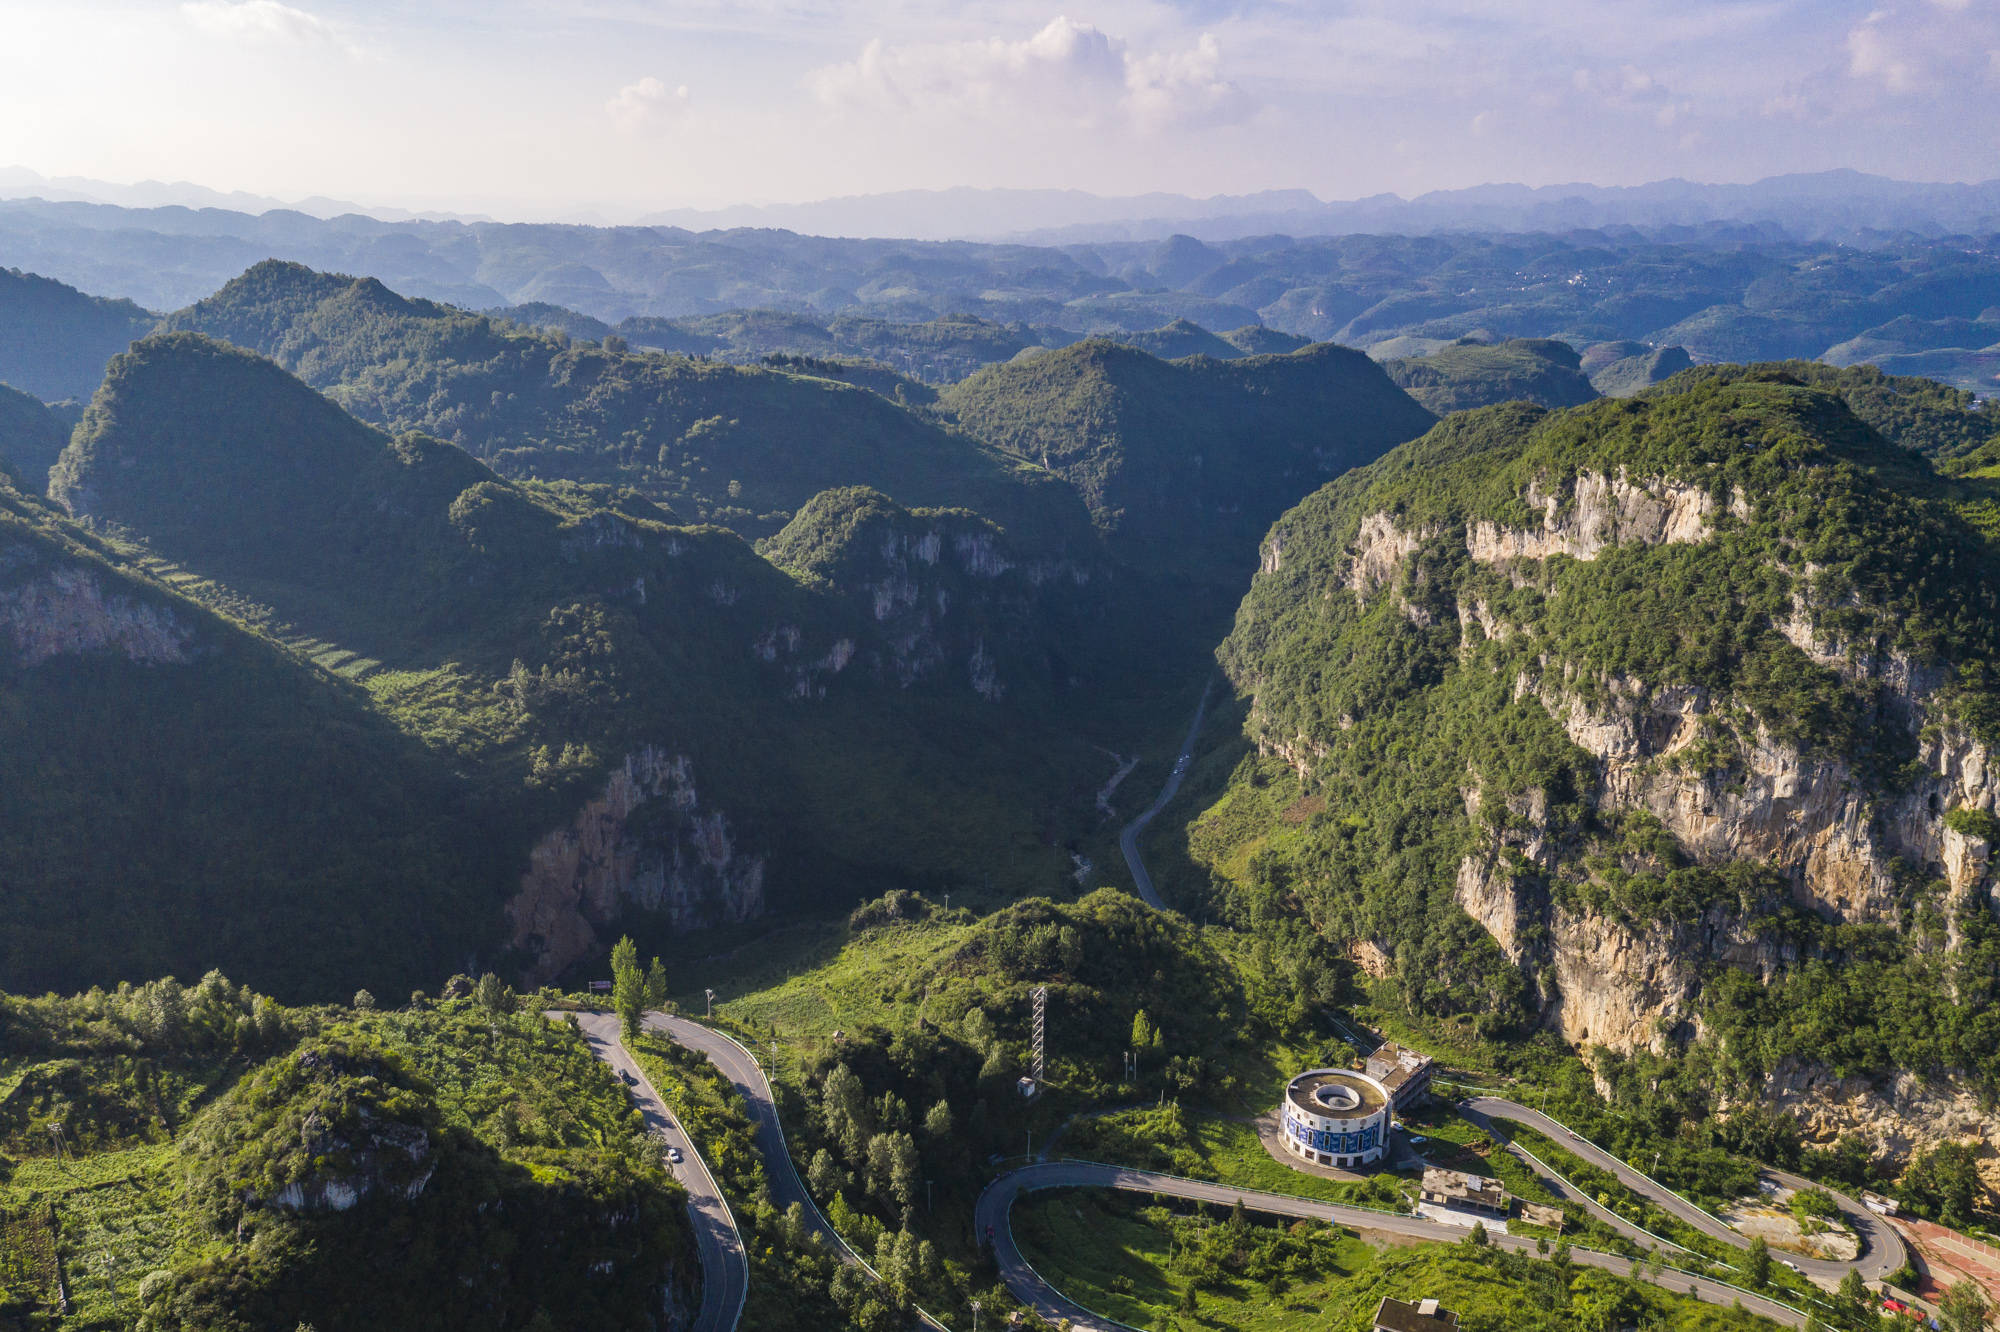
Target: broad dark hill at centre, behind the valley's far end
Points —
{"points": [[1187, 463]]}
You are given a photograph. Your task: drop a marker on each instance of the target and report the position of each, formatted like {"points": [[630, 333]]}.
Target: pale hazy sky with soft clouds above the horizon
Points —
{"points": [[615, 107]]}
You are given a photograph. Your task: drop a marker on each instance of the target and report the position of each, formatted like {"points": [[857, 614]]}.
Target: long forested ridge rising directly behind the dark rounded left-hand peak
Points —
{"points": [[731, 445]]}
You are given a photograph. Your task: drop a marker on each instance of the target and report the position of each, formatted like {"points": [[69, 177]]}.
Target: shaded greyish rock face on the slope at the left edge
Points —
{"points": [[67, 611]]}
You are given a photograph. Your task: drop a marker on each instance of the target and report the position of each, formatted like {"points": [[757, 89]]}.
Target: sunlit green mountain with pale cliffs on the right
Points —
{"points": [[1655, 723]]}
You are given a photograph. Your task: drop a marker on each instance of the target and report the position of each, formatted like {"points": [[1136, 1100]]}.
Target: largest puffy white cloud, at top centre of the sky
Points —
{"points": [[1067, 71]]}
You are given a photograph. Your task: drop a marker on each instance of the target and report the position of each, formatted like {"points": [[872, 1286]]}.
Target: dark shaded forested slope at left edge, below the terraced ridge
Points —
{"points": [[179, 793]]}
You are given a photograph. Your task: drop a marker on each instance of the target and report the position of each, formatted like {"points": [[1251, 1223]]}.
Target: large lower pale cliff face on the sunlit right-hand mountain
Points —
{"points": [[1809, 817]]}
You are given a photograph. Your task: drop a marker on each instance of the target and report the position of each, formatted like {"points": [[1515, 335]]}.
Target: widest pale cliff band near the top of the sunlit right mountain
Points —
{"points": [[1603, 513]]}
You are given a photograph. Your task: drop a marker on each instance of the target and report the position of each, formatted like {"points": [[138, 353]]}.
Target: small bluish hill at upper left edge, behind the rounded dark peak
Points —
{"points": [[55, 339]]}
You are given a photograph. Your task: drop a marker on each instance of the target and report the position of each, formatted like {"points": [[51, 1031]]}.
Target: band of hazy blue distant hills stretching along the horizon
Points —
{"points": [[1723, 291]]}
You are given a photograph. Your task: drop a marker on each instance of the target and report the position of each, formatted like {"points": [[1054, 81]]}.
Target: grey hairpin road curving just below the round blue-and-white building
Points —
{"points": [[1029, 1287]]}
